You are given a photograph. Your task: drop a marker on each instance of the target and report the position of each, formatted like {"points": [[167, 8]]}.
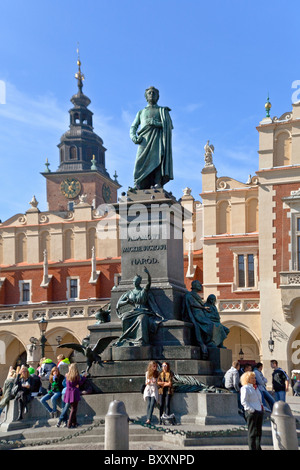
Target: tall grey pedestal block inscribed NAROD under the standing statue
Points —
{"points": [[151, 232]]}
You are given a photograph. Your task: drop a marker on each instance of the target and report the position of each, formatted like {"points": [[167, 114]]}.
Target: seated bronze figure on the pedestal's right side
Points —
{"points": [[205, 317]]}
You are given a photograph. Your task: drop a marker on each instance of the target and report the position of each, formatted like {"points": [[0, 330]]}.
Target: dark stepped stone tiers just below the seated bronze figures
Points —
{"points": [[124, 371]]}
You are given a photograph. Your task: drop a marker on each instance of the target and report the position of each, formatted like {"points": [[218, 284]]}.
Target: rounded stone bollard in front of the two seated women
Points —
{"points": [[116, 427]]}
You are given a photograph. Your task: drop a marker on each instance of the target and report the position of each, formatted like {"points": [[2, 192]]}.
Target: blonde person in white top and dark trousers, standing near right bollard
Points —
{"points": [[252, 402]]}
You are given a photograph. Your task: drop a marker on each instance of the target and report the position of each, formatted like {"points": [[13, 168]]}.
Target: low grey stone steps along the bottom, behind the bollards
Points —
{"points": [[42, 438]]}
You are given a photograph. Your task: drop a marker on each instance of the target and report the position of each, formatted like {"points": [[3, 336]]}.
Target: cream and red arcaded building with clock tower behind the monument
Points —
{"points": [[242, 243]]}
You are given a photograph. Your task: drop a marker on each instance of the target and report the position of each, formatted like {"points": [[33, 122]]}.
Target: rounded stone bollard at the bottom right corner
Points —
{"points": [[284, 433]]}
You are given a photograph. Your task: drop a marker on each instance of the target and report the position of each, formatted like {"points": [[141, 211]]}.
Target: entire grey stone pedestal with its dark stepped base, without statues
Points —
{"points": [[152, 236]]}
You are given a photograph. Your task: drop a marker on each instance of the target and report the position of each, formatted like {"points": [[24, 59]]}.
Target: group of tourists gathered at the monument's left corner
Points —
{"points": [[24, 383]]}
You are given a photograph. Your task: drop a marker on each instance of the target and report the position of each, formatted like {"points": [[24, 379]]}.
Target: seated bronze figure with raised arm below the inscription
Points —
{"points": [[139, 313]]}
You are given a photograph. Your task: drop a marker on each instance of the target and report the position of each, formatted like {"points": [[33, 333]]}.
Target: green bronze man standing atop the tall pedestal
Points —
{"points": [[154, 163]]}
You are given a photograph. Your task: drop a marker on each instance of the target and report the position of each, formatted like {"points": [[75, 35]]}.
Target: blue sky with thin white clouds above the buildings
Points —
{"points": [[213, 62]]}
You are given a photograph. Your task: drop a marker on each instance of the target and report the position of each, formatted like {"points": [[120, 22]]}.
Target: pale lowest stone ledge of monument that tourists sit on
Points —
{"points": [[193, 408]]}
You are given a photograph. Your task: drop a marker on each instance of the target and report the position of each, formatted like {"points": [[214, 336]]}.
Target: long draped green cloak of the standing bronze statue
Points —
{"points": [[156, 147]]}
